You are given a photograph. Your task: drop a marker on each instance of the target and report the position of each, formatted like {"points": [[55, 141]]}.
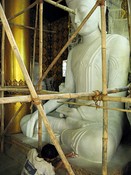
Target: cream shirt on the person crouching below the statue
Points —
{"points": [[36, 166]]}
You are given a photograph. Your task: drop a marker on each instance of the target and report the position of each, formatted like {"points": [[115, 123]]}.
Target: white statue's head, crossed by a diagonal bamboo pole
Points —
{"points": [[82, 8]]}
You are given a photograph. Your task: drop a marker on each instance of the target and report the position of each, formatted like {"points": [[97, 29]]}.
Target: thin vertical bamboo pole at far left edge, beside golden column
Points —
{"points": [[2, 81]]}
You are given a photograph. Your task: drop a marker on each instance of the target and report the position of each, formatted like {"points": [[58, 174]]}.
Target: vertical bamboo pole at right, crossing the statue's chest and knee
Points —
{"points": [[104, 89]]}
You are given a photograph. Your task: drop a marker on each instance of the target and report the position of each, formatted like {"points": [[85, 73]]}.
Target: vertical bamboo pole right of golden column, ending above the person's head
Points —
{"points": [[40, 68]]}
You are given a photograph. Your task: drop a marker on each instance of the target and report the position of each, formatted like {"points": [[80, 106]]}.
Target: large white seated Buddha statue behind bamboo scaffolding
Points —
{"points": [[80, 128]]}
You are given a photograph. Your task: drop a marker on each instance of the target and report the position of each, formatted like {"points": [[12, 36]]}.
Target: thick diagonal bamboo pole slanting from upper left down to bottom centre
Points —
{"points": [[34, 95]]}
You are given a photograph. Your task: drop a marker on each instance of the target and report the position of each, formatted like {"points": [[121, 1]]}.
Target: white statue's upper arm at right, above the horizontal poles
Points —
{"points": [[118, 66]]}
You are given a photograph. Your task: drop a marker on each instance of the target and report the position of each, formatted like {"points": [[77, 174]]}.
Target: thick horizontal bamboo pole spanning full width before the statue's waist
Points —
{"points": [[84, 96]]}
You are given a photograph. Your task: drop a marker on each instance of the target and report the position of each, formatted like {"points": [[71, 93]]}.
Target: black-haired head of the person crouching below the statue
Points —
{"points": [[49, 152]]}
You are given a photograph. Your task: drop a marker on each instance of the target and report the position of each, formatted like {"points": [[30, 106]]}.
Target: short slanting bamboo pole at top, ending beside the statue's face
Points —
{"points": [[56, 4]]}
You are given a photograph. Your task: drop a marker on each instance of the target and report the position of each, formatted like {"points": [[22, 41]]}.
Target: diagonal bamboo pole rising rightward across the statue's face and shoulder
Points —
{"points": [[68, 42]]}
